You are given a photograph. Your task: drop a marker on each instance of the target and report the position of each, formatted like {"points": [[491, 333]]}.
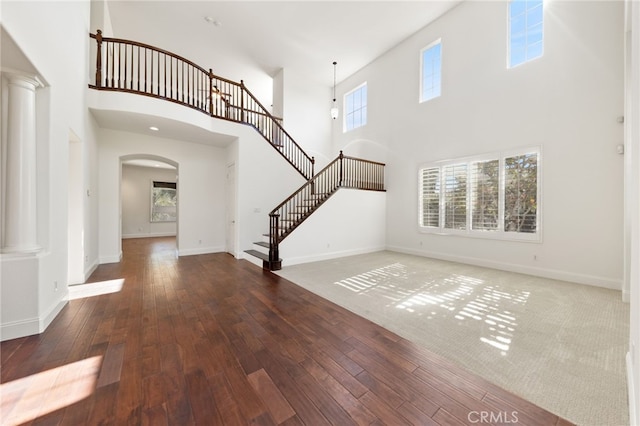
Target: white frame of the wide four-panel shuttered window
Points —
{"points": [[499, 232]]}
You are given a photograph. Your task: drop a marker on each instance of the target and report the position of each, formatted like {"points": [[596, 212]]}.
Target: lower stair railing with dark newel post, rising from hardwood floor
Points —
{"points": [[343, 172]]}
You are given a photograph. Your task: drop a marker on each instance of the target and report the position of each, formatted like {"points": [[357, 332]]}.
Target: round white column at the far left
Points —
{"points": [[20, 222]]}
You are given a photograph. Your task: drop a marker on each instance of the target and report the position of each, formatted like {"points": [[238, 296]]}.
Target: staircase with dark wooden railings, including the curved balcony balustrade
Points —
{"points": [[133, 67]]}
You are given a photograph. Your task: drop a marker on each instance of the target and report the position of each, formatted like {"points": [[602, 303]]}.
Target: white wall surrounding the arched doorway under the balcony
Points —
{"points": [[201, 186]]}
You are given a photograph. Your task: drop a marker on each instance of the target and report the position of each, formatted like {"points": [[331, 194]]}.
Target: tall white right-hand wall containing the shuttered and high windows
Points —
{"points": [[566, 102]]}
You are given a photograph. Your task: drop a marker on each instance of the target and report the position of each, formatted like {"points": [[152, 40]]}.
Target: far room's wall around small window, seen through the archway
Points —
{"points": [[136, 201]]}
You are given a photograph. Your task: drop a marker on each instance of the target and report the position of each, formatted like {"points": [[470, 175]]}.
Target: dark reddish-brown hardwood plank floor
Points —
{"points": [[212, 340]]}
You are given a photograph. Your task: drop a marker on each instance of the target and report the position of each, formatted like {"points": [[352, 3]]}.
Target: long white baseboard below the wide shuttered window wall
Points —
{"points": [[521, 269]]}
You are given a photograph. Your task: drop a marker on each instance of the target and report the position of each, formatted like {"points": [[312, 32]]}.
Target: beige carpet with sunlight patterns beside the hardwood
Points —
{"points": [[558, 344]]}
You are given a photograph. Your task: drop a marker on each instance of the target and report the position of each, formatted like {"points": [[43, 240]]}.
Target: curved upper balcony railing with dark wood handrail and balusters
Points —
{"points": [[128, 66]]}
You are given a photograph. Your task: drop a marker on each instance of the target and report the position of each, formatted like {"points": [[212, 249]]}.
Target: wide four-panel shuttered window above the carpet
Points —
{"points": [[493, 196]]}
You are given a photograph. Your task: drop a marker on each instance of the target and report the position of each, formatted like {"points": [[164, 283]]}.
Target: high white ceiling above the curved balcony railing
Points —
{"points": [[240, 38]]}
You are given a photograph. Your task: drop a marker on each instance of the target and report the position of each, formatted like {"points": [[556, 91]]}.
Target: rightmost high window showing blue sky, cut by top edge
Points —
{"points": [[525, 31]]}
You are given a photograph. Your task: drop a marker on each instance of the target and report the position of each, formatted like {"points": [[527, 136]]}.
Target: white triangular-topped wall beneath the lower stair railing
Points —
{"points": [[350, 222]]}
